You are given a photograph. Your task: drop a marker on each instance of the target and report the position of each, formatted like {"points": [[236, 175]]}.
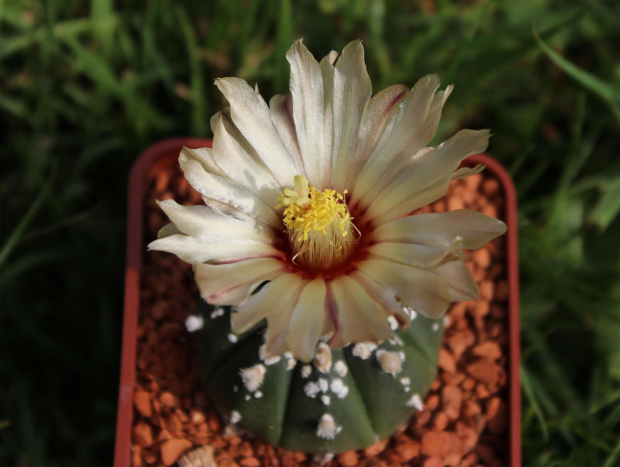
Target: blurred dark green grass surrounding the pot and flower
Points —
{"points": [[85, 86]]}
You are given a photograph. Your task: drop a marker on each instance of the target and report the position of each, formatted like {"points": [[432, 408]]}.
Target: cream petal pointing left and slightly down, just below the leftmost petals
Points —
{"points": [[215, 280]]}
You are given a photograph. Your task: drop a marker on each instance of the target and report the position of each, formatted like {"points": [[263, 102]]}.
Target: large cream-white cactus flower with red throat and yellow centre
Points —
{"points": [[313, 194]]}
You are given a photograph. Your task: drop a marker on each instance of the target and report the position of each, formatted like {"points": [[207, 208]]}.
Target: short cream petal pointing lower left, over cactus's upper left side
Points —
{"points": [[275, 299]]}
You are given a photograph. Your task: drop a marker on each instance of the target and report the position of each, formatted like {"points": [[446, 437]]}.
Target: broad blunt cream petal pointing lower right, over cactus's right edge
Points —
{"points": [[418, 288]]}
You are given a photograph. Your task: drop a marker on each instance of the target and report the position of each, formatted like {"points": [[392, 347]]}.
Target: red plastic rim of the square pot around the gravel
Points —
{"points": [[163, 155]]}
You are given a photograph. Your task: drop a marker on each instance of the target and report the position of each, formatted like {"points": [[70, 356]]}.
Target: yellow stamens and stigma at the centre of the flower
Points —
{"points": [[318, 224]]}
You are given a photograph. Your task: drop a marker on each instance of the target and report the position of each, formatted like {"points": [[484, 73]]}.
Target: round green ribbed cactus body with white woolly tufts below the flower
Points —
{"points": [[346, 399]]}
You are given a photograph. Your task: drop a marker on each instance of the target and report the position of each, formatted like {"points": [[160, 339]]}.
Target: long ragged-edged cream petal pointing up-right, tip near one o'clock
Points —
{"points": [[405, 124]]}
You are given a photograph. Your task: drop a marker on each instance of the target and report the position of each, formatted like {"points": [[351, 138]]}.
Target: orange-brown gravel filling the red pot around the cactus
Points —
{"points": [[464, 421]]}
